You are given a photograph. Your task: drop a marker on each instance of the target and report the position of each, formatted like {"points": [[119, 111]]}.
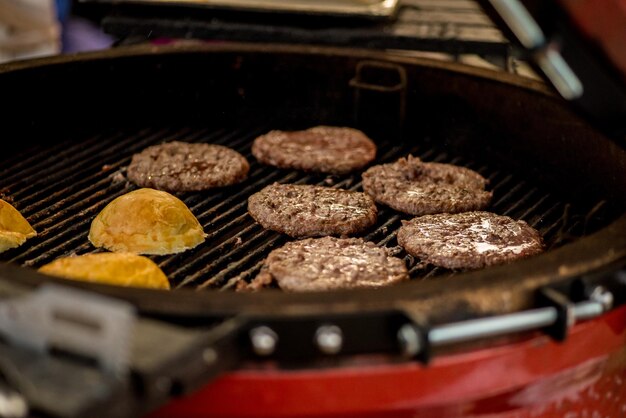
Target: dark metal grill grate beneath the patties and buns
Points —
{"points": [[61, 187]]}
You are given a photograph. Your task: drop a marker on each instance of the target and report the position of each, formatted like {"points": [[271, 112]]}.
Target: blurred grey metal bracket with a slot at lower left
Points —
{"points": [[78, 322]]}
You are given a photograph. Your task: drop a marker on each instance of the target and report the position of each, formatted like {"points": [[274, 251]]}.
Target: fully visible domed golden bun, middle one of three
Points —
{"points": [[146, 221]]}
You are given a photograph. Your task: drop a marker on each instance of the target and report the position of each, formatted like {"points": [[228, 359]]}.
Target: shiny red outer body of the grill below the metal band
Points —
{"points": [[537, 377]]}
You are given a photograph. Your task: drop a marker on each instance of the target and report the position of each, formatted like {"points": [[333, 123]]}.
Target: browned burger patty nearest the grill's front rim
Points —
{"points": [[330, 263]]}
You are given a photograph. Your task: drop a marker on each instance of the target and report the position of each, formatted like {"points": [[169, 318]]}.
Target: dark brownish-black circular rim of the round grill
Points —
{"points": [[479, 292]]}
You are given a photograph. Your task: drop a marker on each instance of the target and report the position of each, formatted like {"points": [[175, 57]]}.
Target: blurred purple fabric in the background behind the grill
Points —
{"points": [[82, 35]]}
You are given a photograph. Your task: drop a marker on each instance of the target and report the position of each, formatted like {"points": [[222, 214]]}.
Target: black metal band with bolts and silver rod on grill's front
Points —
{"points": [[281, 338]]}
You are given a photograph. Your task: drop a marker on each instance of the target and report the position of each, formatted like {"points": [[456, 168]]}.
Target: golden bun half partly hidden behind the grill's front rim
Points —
{"points": [[120, 269]]}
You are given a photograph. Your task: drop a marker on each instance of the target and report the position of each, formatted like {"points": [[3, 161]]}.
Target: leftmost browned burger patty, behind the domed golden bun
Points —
{"points": [[184, 167]]}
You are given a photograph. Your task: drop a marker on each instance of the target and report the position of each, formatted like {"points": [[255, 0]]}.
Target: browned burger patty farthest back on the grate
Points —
{"points": [[323, 149]]}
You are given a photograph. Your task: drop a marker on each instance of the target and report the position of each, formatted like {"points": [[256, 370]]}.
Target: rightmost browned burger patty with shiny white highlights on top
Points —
{"points": [[469, 240]]}
